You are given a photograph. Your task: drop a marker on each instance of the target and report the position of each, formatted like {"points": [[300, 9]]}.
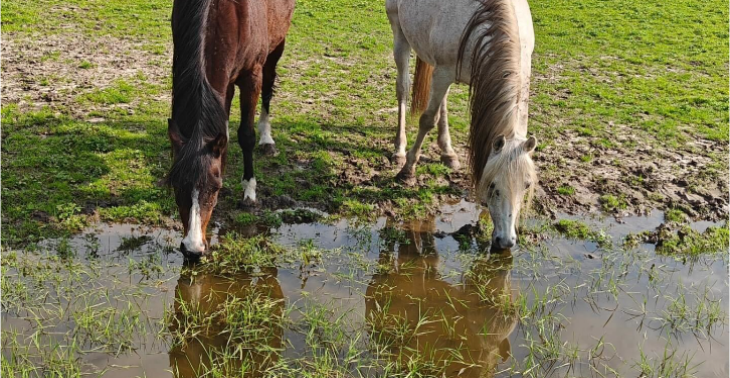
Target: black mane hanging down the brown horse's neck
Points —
{"points": [[197, 109]]}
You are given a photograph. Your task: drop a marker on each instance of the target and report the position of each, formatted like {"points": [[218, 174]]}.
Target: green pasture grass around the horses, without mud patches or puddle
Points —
{"points": [[665, 78]]}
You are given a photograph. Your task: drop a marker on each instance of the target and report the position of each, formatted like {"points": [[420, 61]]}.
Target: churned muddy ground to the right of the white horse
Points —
{"points": [[621, 169]]}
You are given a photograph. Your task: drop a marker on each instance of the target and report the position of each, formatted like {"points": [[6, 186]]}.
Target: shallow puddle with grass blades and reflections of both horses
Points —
{"points": [[236, 326]]}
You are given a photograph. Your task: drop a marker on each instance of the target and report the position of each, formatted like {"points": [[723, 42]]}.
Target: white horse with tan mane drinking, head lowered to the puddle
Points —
{"points": [[487, 44]]}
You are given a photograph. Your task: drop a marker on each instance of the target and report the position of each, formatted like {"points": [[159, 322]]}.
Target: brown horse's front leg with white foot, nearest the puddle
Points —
{"points": [[250, 85]]}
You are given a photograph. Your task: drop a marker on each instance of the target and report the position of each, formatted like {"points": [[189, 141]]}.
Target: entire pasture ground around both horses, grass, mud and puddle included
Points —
{"points": [[340, 271]]}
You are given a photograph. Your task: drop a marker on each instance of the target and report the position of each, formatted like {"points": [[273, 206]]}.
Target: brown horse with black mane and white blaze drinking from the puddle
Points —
{"points": [[219, 44]]}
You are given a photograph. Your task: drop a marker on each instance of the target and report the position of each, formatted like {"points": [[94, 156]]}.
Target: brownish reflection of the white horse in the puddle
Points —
{"points": [[419, 320]]}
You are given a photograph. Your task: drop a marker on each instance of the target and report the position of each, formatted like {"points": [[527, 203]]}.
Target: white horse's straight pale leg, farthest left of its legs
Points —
{"points": [[401, 54]]}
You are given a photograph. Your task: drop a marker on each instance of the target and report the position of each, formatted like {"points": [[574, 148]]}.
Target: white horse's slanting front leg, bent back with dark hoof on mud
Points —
{"points": [[441, 81]]}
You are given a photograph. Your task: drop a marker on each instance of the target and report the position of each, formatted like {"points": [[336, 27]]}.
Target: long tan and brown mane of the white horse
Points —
{"points": [[494, 90]]}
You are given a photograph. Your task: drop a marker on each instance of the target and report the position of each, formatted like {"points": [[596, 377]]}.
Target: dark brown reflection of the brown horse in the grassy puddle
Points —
{"points": [[244, 348]]}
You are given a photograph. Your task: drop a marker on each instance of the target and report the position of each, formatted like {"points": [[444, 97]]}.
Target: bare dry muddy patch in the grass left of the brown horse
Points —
{"points": [[59, 70]]}
